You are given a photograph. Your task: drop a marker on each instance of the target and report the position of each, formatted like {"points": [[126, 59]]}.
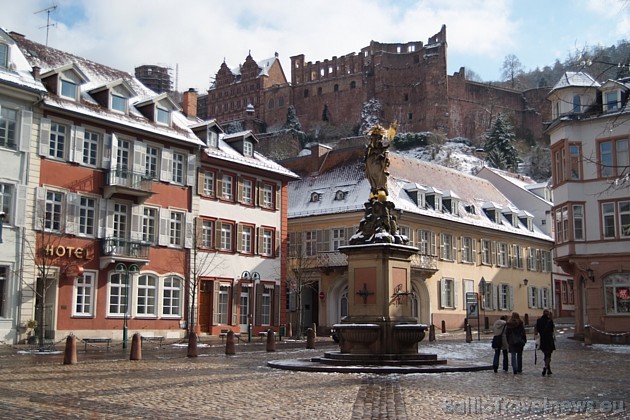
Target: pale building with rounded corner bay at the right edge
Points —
{"points": [[589, 135]]}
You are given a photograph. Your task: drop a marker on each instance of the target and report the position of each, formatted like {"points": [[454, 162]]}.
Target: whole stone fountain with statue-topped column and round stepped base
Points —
{"points": [[379, 334]]}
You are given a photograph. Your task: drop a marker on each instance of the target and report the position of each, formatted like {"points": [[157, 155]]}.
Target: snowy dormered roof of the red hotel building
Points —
{"points": [[98, 75]]}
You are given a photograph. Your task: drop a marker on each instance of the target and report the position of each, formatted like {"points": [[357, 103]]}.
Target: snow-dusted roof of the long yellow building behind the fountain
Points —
{"points": [[405, 173]]}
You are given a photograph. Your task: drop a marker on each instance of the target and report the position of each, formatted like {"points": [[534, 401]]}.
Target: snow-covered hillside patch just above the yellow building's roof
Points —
{"points": [[452, 154]]}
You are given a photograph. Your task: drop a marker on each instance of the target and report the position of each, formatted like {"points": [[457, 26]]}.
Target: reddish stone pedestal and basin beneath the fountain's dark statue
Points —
{"points": [[379, 318]]}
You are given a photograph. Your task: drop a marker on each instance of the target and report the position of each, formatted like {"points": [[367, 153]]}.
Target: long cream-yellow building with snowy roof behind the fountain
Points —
{"points": [[464, 228]]}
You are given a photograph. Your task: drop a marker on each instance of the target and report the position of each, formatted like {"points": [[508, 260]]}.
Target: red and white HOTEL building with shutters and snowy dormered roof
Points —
{"points": [[111, 177]]}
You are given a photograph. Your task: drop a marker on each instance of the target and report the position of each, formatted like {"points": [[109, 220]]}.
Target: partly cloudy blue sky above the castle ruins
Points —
{"points": [[193, 37]]}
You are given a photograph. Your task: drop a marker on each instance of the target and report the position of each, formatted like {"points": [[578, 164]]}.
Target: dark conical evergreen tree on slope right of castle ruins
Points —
{"points": [[500, 150]]}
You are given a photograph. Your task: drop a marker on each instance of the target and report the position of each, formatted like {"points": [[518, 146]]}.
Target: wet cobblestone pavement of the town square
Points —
{"points": [[588, 382]]}
